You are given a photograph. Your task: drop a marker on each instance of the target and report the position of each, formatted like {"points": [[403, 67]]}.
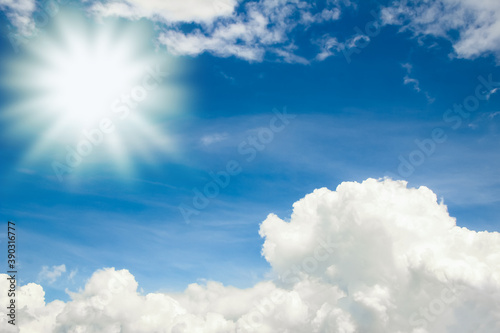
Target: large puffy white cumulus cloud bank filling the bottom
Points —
{"points": [[368, 257]]}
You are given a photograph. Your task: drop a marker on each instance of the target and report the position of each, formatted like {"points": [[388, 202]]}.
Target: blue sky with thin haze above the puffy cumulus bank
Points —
{"points": [[353, 119]]}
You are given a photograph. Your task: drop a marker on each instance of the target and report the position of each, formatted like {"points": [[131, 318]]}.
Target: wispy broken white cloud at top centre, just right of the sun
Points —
{"points": [[263, 26]]}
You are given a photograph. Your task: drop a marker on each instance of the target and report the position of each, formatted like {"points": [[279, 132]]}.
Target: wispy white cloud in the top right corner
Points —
{"points": [[477, 23]]}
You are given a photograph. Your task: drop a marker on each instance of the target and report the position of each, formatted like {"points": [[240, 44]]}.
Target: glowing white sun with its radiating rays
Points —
{"points": [[79, 76]]}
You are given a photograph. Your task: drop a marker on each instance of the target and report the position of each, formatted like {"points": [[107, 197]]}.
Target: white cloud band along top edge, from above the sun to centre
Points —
{"points": [[260, 28]]}
